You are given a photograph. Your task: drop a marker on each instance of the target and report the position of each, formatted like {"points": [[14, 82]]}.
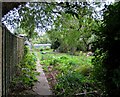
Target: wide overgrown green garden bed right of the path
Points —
{"points": [[69, 74]]}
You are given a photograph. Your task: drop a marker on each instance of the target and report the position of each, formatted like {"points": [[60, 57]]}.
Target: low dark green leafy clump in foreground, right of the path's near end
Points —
{"points": [[72, 83]]}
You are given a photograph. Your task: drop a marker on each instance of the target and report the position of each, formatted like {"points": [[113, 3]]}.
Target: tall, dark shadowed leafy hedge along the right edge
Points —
{"points": [[107, 55]]}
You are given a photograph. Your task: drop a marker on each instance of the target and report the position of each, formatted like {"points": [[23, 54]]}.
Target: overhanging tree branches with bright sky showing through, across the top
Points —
{"points": [[41, 15]]}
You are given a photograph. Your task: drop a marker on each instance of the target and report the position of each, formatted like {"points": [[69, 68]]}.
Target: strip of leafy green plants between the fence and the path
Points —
{"points": [[26, 74]]}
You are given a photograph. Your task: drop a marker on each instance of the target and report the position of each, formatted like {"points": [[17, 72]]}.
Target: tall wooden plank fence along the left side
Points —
{"points": [[12, 52]]}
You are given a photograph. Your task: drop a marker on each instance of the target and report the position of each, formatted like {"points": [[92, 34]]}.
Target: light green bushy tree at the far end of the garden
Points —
{"points": [[68, 35]]}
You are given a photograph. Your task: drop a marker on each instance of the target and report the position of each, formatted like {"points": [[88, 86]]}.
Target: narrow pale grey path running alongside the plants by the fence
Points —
{"points": [[41, 87]]}
